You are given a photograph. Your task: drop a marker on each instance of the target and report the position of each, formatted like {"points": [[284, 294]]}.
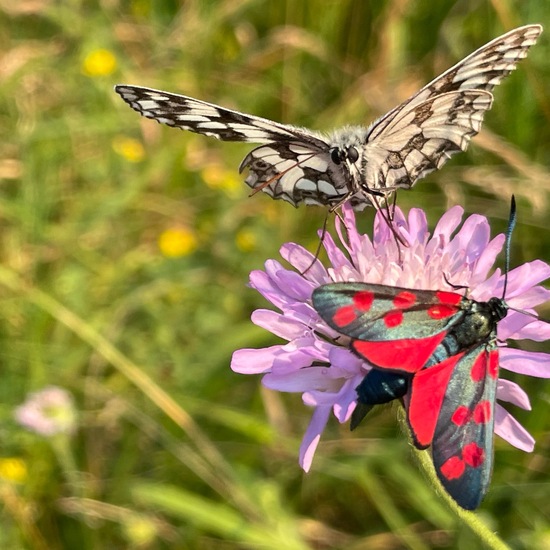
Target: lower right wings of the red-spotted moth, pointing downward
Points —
{"points": [[452, 408]]}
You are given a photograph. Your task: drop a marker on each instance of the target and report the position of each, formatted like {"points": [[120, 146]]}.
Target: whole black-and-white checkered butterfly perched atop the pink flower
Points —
{"points": [[354, 163]]}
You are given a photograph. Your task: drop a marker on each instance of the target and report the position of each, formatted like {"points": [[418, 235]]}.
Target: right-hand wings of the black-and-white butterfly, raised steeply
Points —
{"points": [[399, 164]]}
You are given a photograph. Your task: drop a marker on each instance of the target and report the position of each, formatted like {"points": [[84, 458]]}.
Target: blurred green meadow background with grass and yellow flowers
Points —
{"points": [[126, 248]]}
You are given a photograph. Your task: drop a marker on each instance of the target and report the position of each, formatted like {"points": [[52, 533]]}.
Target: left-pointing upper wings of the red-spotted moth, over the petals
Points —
{"points": [[392, 327]]}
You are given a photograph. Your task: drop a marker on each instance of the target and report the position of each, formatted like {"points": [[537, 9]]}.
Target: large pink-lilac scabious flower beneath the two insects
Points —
{"points": [[327, 374]]}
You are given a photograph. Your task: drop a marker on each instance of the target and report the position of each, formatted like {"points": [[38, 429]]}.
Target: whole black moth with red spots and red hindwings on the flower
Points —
{"points": [[438, 351]]}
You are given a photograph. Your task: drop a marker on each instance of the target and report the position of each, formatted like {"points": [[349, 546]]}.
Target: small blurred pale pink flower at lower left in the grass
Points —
{"points": [[48, 412]]}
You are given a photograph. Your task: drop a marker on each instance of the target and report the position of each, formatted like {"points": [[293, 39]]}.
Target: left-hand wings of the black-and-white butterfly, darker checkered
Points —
{"points": [[295, 165]]}
